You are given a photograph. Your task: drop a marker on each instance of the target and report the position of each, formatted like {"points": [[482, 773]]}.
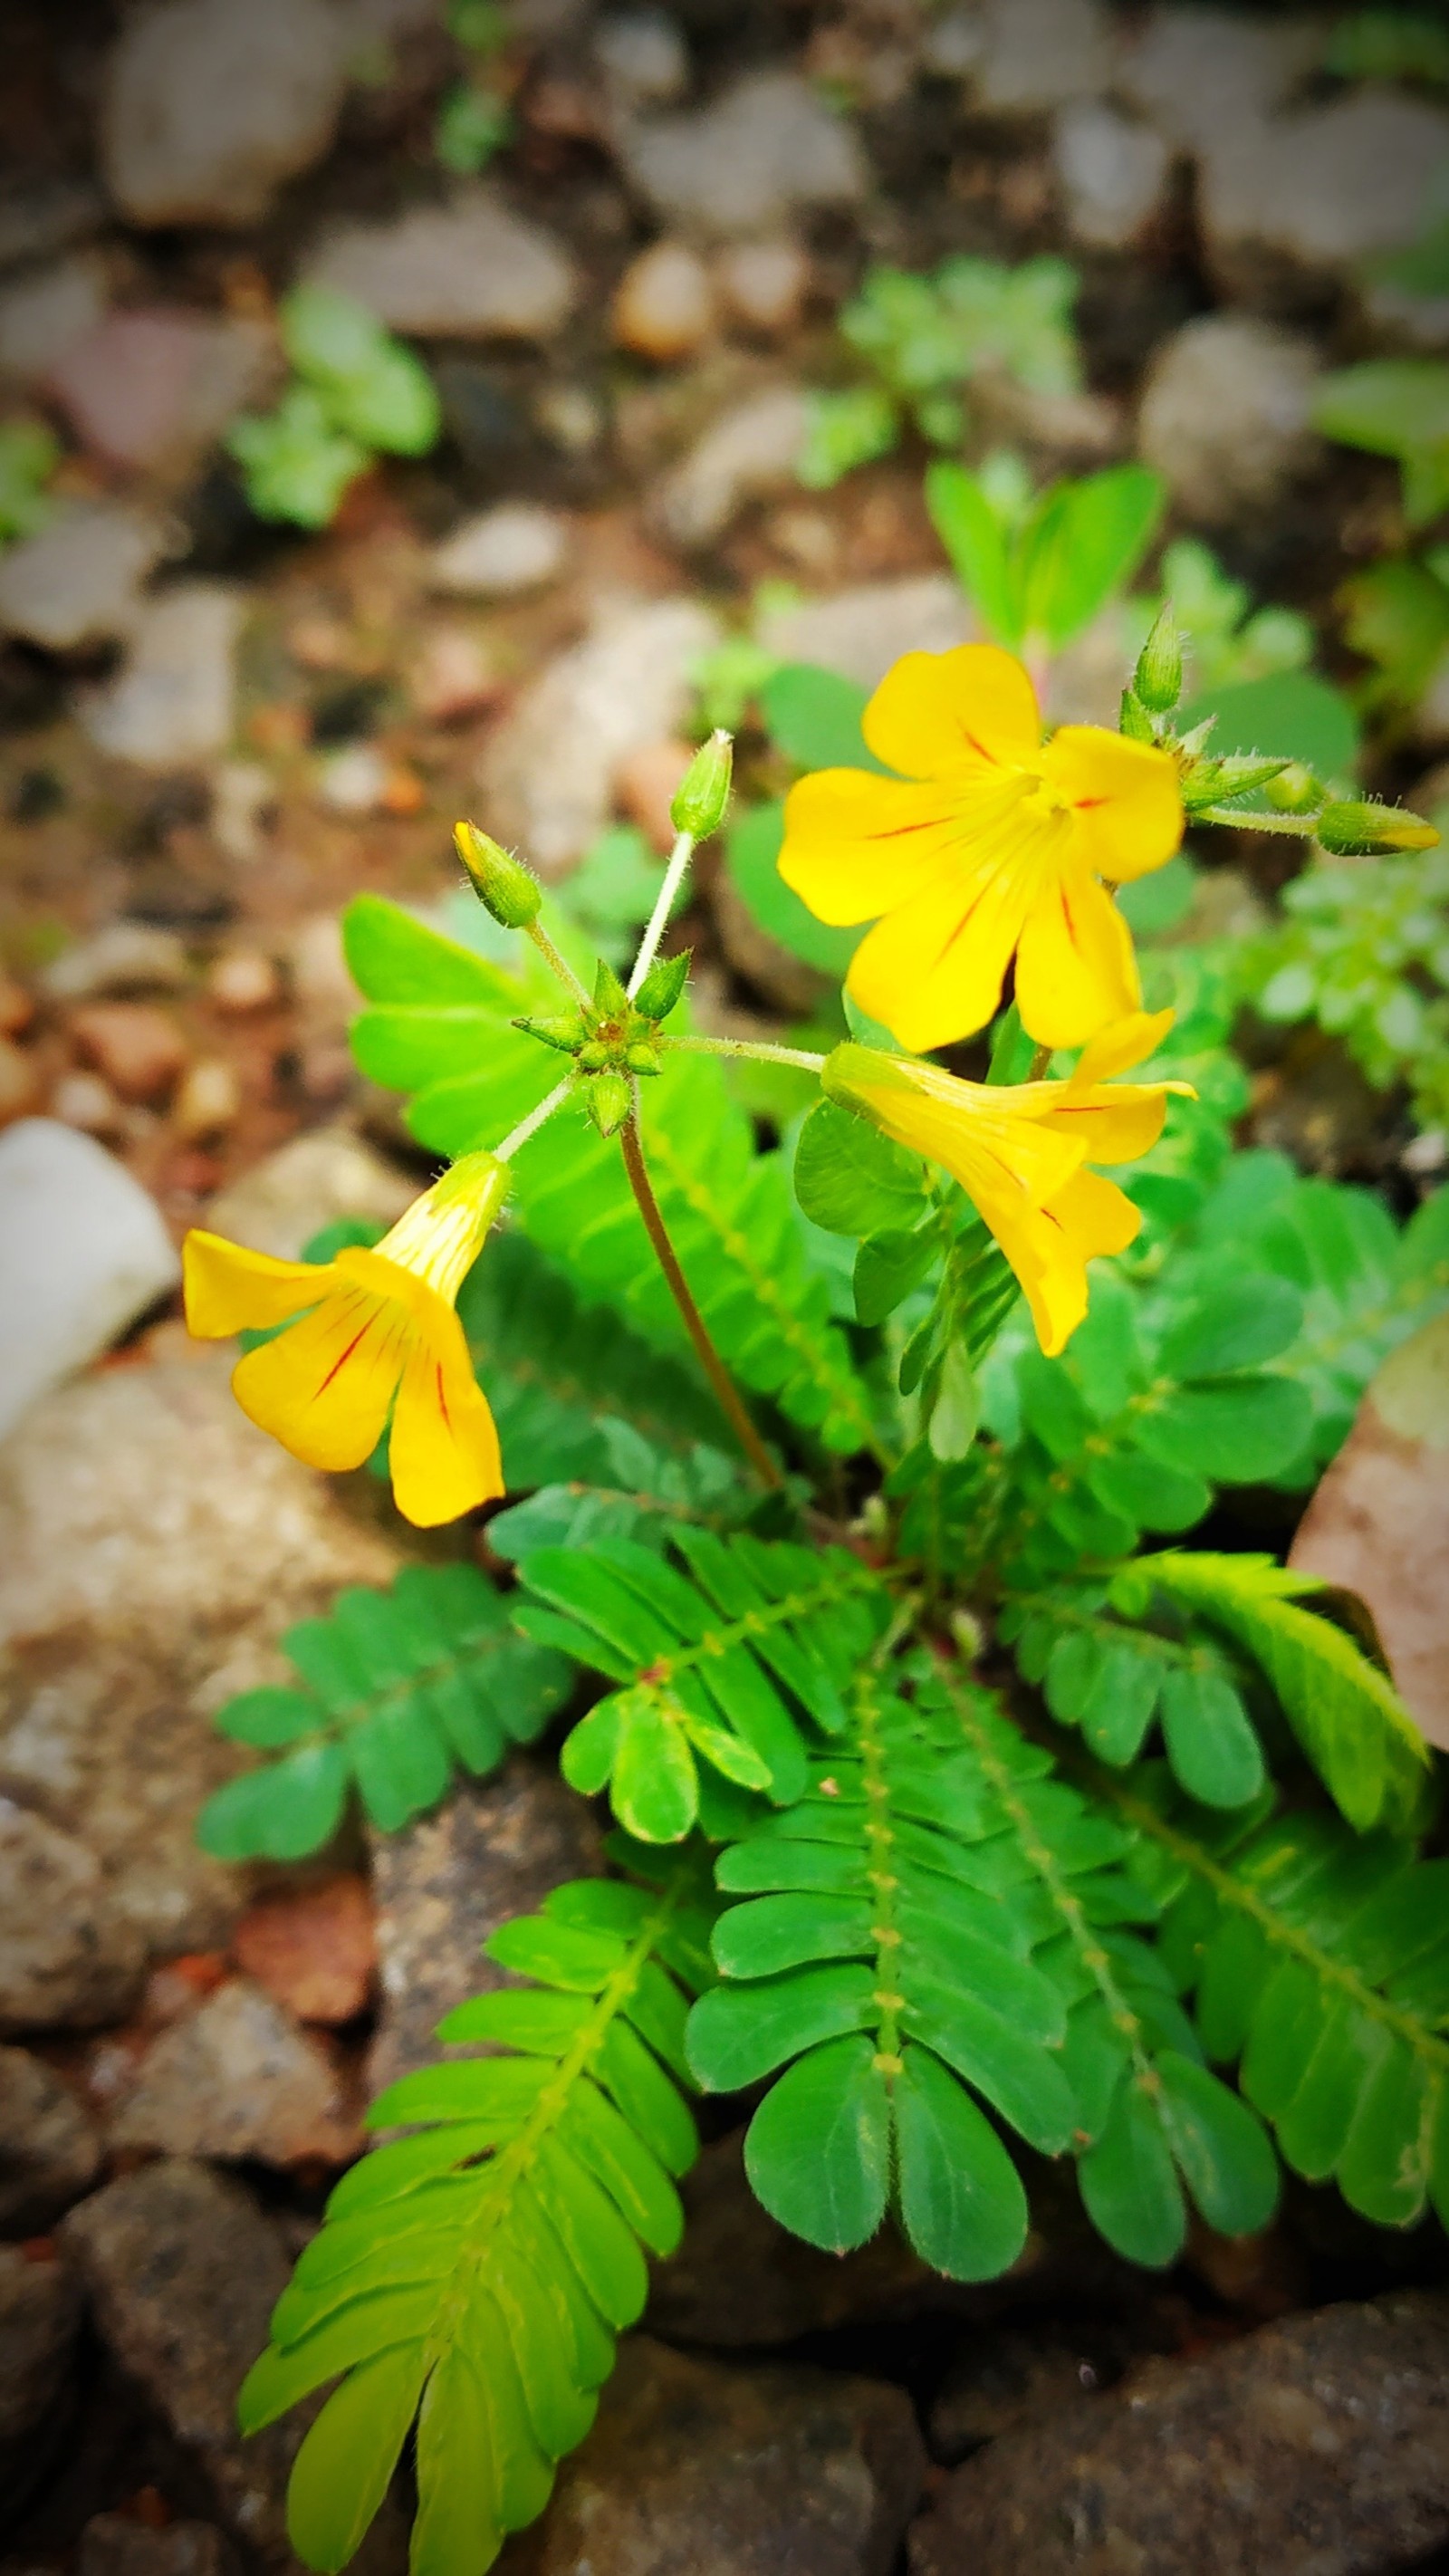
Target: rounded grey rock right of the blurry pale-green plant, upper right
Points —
{"points": [[1226, 416]]}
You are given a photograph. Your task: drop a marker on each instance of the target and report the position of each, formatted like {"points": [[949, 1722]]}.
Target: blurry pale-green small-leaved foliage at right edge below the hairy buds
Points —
{"points": [[1365, 954]]}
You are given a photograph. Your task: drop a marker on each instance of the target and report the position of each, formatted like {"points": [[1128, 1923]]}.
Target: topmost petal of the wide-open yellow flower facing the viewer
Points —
{"points": [[938, 712]]}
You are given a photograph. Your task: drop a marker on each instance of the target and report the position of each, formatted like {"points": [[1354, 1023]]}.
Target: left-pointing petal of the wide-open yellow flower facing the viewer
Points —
{"points": [[856, 844]]}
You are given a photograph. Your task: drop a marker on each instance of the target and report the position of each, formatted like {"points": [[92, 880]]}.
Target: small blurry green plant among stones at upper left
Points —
{"points": [[356, 393]]}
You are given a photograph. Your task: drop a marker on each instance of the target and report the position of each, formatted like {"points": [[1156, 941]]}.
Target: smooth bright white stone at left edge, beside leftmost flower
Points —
{"points": [[84, 1253]]}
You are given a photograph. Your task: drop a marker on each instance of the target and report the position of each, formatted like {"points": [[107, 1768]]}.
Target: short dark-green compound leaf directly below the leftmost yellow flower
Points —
{"points": [[395, 1694]]}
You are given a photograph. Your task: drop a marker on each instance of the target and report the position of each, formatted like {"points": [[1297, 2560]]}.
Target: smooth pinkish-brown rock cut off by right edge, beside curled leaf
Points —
{"points": [[1381, 1521]]}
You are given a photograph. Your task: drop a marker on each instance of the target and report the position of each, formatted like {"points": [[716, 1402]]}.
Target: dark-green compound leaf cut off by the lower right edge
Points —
{"points": [[1319, 1962]]}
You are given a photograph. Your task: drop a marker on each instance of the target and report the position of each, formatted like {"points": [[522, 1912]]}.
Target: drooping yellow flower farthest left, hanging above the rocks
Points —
{"points": [[369, 1333]]}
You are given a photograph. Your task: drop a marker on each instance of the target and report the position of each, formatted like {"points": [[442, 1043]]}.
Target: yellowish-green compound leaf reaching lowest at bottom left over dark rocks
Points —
{"points": [[472, 2276]]}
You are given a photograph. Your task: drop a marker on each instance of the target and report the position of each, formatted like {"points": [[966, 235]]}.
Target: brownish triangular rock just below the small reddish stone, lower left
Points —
{"points": [[238, 2078]]}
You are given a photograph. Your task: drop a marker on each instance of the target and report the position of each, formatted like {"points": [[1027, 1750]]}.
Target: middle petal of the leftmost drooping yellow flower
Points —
{"points": [[328, 1382]]}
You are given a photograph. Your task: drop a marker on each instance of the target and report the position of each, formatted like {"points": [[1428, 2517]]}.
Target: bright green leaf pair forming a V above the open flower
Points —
{"points": [[1041, 571]]}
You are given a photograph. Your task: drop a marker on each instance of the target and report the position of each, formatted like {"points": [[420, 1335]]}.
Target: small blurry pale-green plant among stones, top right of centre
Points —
{"points": [[925, 339]]}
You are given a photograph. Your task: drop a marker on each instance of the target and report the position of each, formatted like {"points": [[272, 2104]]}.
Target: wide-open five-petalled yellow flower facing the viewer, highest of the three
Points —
{"points": [[990, 846]]}
